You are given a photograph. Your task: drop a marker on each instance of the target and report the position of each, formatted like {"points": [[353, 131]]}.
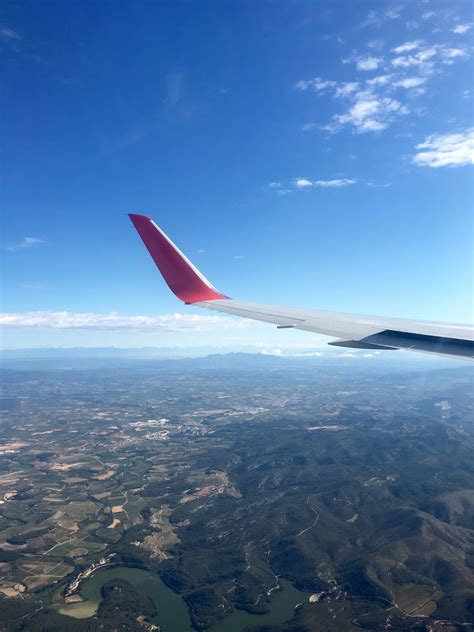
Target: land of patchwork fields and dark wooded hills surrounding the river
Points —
{"points": [[354, 483]]}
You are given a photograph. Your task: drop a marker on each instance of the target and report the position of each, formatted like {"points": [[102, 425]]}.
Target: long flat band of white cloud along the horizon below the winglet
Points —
{"points": [[113, 321]]}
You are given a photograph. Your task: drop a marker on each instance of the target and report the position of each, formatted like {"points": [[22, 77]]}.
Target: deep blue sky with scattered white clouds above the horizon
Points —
{"points": [[316, 154]]}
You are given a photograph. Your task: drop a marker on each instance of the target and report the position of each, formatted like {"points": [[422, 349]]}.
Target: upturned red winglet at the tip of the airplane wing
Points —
{"points": [[183, 279]]}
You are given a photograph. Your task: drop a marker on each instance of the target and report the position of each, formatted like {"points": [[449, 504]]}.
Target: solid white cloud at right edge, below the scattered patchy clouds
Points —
{"points": [[446, 150]]}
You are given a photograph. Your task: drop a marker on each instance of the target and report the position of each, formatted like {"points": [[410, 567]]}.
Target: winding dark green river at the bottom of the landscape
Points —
{"points": [[173, 615]]}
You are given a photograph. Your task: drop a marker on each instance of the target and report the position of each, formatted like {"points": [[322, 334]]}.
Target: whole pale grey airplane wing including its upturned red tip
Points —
{"points": [[356, 331]]}
